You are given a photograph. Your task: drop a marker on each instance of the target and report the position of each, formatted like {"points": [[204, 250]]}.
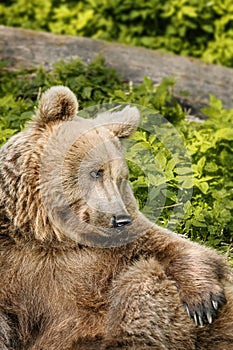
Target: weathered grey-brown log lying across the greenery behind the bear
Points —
{"points": [[27, 48]]}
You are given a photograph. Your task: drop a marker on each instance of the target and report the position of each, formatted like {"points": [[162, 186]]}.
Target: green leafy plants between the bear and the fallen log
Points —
{"points": [[194, 199]]}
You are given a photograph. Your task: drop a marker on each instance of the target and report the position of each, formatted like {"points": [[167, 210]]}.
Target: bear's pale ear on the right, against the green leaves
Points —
{"points": [[122, 123]]}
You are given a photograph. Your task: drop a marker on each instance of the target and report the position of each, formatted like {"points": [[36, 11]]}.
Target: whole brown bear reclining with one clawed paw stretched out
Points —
{"points": [[81, 267]]}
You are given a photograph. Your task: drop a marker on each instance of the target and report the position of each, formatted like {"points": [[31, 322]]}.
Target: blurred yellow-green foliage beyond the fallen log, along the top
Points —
{"points": [[198, 28]]}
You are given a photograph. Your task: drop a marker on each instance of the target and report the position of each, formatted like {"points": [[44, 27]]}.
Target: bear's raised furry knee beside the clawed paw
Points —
{"points": [[146, 312]]}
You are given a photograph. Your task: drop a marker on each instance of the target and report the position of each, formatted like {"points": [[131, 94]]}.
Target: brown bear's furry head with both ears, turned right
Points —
{"points": [[72, 177]]}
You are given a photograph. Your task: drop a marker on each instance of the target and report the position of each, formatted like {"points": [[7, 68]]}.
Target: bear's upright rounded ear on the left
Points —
{"points": [[57, 103]]}
